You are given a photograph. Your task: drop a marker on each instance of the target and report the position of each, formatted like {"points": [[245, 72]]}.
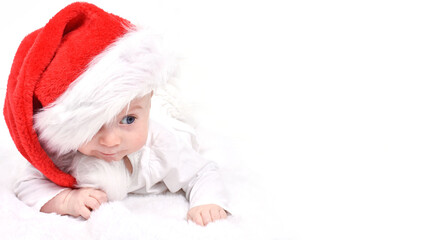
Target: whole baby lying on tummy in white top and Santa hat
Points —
{"points": [[78, 106]]}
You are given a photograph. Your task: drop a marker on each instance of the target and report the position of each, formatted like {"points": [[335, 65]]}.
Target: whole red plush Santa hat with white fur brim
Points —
{"points": [[74, 75]]}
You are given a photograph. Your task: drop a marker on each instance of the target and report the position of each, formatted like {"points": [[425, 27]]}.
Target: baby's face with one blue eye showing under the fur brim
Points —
{"points": [[127, 135]]}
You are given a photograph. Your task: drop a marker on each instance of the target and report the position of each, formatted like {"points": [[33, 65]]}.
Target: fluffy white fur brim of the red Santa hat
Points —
{"points": [[132, 66]]}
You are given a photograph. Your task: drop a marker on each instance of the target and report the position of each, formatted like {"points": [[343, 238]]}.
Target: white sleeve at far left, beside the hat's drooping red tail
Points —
{"points": [[34, 189]]}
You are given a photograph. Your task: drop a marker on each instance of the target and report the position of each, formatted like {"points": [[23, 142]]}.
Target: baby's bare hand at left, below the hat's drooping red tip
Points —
{"points": [[76, 202]]}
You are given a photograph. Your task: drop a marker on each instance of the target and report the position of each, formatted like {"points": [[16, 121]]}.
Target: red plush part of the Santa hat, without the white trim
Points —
{"points": [[46, 62]]}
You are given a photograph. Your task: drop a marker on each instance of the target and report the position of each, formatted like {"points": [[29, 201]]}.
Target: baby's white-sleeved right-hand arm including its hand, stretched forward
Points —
{"points": [[179, 165]]}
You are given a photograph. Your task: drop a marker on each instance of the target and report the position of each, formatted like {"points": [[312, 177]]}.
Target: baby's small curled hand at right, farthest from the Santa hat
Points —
{"points": [[204, 214]]}
